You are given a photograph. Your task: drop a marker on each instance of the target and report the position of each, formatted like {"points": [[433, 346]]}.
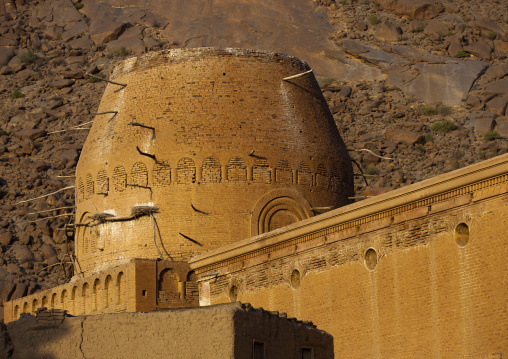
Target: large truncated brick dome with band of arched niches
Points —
{"points": [[202, 148]]}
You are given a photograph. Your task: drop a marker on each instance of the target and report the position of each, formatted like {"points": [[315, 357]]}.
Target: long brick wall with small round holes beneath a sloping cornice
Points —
{"points": [[420, 272]]}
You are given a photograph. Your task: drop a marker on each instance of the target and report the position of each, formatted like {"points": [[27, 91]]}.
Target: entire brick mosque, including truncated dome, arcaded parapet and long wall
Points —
{"points": [[218, 175]]}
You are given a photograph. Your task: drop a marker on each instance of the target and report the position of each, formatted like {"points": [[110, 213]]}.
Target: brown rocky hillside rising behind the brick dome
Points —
{"points": [[417, 88]]}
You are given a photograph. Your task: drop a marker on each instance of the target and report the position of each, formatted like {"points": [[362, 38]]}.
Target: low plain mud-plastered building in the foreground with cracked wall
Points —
{"points": [[222, 331]]}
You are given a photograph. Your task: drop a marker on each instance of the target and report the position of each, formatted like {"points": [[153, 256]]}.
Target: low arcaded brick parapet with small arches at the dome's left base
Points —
{"points": [[136, 286]]}
